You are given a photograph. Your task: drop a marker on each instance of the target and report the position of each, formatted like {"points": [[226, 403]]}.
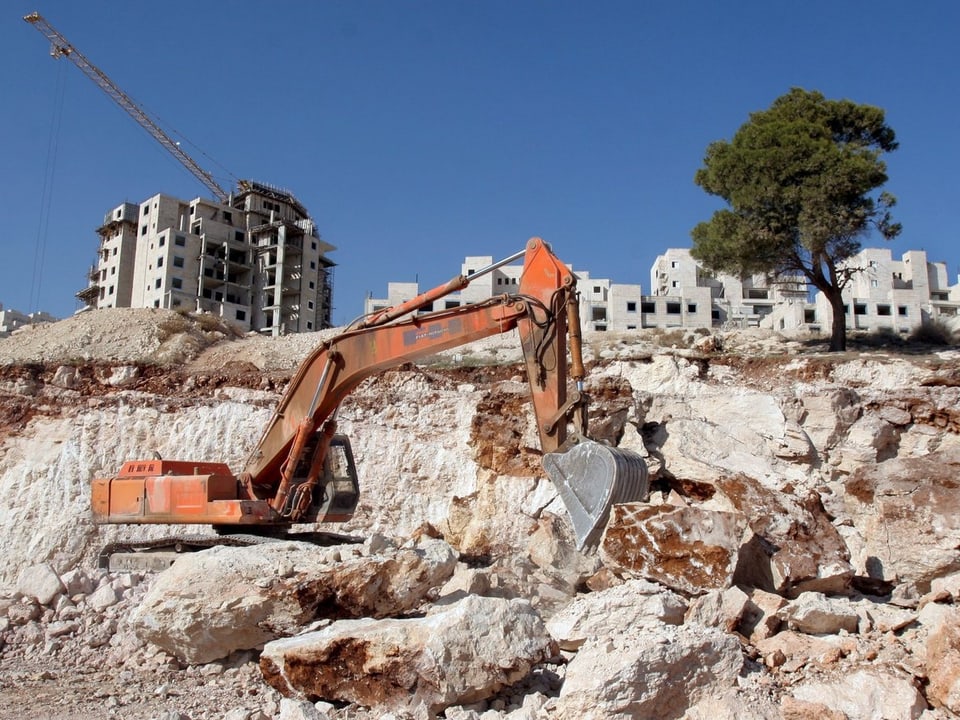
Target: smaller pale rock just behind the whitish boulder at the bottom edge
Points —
{"points": [[636, 603]]}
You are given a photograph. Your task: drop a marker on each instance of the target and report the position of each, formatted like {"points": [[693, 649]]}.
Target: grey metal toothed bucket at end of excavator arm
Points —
{"points": [[591, 478]]}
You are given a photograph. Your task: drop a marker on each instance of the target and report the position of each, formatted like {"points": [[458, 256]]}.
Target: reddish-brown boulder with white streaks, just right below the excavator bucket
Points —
{"points": [[687, 549]]}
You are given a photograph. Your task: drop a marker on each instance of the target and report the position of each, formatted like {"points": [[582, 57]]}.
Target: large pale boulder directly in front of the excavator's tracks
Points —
{"points": [[211, 603]]}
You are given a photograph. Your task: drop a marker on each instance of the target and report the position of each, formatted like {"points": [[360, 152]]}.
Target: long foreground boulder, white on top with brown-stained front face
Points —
{"points": [[457, 654]]}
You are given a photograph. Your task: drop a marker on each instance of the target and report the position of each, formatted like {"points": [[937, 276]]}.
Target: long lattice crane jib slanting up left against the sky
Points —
{"points": [[60, 47]]}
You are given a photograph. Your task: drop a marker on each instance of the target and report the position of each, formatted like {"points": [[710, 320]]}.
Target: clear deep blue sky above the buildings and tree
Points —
{"points": [[418, 133]]}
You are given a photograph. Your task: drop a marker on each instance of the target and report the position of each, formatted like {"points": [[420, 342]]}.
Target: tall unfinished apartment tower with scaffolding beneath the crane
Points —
{"points": [[257, 261]]}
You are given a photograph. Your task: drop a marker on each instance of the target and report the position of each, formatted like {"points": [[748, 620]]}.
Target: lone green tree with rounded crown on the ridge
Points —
{"points": [[800, 182]]}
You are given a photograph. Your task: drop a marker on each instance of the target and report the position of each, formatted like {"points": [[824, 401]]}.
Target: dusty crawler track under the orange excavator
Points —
{"points": [[159, 554]]}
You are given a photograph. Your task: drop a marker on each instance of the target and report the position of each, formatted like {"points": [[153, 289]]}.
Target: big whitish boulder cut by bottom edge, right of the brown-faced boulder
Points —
{"points": [[649, 673]]}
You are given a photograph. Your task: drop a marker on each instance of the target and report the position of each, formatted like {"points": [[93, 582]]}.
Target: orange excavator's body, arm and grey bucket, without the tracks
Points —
{"points": [[302, 470]]}
